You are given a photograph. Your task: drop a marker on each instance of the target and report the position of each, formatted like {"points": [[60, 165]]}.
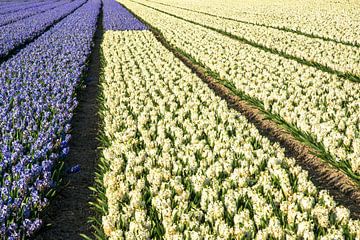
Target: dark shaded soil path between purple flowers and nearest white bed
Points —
{"points": [[69, 210]]}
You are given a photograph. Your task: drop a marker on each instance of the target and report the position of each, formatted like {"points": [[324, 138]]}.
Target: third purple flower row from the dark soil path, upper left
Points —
{"points": [[18, 15]]}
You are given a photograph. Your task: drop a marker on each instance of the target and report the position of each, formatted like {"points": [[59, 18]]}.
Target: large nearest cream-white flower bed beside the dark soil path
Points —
{"points": [[185, 166]]}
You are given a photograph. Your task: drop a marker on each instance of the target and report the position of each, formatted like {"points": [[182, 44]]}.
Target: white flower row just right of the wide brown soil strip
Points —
{"points": [[322, 104]]}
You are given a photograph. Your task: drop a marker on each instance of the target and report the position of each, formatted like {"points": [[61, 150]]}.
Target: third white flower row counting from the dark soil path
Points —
{"points": [[334, 55]]}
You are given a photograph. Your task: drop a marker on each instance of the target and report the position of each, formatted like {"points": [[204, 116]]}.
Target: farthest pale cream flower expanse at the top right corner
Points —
{"points": [[336, 20]]}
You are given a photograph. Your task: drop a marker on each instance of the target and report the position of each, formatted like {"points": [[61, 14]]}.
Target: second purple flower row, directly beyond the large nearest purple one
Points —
{"points": [[15, 34]]}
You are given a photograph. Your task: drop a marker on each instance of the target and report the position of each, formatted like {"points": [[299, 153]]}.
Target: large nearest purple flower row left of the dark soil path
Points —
{"points": [[37, 100]]}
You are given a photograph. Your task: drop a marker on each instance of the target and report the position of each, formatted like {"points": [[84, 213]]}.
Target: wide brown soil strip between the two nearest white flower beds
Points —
{"points": [[323, 175]]}
